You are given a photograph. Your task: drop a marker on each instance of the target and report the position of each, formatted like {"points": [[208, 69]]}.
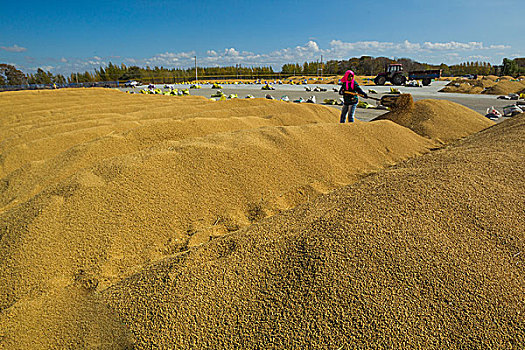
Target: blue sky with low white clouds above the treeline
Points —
{"points": [[70, 36]]}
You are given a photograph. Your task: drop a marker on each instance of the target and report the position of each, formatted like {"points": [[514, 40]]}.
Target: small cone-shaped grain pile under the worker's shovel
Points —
{"points": [[439, 120]]}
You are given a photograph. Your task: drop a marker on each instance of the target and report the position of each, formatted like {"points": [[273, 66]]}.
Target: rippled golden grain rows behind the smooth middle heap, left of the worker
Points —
{"points": [[50, 122]]}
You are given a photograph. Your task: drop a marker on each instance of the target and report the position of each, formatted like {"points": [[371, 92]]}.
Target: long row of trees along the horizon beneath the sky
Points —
{"points": [[365, 65]]}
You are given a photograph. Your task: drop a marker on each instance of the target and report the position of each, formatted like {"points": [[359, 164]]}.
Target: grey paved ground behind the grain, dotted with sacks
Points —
{"points": [[479, 103]]}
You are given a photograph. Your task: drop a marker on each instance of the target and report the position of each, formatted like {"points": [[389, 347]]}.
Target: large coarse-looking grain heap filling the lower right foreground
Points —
{"points": [[427, 254]]}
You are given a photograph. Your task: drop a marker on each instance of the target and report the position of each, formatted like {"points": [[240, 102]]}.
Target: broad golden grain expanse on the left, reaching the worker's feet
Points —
{"points": [[96, 185]]}
